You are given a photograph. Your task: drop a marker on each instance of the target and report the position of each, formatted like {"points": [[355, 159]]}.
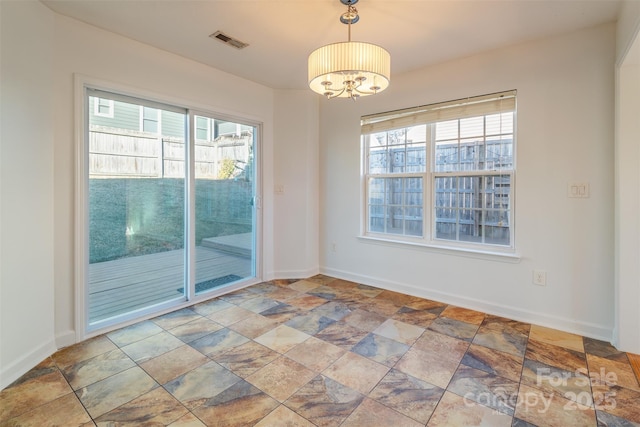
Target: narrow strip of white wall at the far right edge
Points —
{"points": [[627, 218]]}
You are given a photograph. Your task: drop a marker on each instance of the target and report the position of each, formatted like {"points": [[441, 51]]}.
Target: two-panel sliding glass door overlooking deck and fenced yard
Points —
{"points": [[171, 209]]}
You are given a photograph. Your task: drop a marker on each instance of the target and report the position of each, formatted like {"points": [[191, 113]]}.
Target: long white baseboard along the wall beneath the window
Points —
{"points": [[586, 329]]}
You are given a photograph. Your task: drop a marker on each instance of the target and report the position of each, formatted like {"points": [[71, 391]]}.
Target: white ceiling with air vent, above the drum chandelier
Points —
{"points": [[282, 33]]}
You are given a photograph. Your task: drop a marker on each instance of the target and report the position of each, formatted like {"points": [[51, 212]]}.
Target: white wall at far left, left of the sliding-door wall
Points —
{"points": [[26, 188]]}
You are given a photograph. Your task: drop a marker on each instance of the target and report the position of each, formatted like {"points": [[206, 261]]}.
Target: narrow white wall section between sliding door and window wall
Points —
{"points": [[296, 173]]}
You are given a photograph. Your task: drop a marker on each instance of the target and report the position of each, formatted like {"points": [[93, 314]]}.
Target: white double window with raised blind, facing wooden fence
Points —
{"points": [[442, 174]]}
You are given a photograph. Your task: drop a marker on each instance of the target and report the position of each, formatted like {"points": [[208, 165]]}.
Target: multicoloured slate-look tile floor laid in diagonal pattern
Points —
{"points": [[327, 352]]}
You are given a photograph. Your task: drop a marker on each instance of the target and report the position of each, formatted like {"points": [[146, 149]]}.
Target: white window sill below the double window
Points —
{"points": [[511, 257]]}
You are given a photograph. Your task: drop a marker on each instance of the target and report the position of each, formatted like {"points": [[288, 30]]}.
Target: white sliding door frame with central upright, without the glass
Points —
{"points": [[81, 253]]}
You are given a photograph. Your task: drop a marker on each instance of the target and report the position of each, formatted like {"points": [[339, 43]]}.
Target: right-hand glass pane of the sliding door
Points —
{"points": [[224, 202]]}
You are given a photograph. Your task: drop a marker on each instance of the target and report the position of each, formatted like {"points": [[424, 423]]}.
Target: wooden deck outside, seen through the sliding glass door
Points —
{"points": [[123, 285]]}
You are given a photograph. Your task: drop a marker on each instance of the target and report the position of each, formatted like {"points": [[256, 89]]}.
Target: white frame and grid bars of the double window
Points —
{"points": [[428, 237]]}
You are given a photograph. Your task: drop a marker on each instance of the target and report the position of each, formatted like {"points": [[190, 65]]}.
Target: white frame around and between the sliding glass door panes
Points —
{"points": [[82, 110]]}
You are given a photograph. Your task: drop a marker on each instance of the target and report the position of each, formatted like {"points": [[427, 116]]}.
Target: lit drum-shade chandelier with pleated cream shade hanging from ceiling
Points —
{"points": [[349, 69]]}
